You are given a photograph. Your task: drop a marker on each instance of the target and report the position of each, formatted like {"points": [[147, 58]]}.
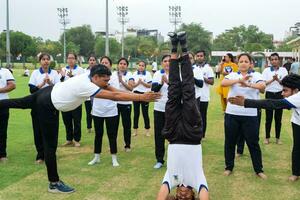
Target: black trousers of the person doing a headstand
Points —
{"points": [[183, 124]]}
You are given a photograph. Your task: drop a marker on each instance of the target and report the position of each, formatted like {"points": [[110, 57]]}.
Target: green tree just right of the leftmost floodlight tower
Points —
{"points": [[82, 37]]}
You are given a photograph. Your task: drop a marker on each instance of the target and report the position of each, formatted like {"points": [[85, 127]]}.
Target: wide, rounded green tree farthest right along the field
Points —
{"points": [[243, 38]]}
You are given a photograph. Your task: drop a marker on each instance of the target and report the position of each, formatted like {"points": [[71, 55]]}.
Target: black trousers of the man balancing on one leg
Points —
{"points": [[48, 121]]}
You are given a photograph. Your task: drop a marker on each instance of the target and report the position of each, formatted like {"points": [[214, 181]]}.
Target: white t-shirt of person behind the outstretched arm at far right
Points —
{"points": [[268, 74]]}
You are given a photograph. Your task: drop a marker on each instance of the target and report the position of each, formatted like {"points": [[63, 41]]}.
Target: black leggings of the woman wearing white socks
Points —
{"points": [[111, 127]]}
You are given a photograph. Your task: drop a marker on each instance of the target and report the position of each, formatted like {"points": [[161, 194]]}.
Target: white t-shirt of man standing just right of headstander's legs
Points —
{"points": [[208, 73]]}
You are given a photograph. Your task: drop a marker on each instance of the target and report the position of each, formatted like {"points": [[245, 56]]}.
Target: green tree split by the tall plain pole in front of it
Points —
{"points": [[114, 48]]}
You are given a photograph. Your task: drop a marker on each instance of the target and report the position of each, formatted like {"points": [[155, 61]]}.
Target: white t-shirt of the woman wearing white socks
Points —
{"points": [[106, 107]]}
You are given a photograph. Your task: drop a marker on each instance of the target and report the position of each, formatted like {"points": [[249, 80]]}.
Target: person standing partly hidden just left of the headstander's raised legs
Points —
{"points": [[160, 84]]}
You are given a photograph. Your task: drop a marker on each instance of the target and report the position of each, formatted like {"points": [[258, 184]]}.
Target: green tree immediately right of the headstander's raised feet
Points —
{"points": [[197, 37]]}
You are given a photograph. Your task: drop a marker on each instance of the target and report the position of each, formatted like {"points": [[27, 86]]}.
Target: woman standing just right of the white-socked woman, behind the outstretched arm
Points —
{"points": [[124, 107]]}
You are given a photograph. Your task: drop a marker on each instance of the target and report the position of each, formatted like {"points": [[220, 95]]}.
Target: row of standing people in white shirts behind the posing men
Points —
{"points": [[238, 122]]}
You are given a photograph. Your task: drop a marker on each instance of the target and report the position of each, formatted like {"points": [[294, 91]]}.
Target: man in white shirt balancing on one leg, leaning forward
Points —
{"points": [[64, 97]]}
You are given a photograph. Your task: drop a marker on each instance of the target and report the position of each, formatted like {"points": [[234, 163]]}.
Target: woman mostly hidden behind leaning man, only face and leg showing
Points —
{"points": [[88, 105]]}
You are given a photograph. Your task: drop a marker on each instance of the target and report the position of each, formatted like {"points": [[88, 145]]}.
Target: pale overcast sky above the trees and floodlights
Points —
{"points": [[39, 17]]}
